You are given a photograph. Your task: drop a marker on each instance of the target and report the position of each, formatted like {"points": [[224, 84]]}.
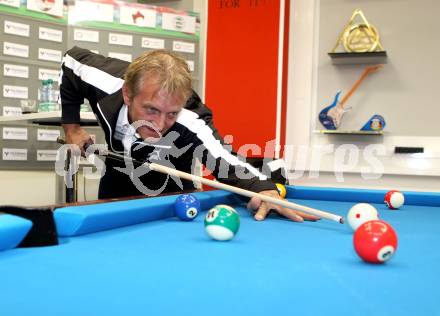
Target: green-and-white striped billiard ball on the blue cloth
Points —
{"points": [[222, 222]]}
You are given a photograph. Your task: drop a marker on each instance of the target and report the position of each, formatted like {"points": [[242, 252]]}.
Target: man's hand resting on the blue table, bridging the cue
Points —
{"points": [[263, 208]]}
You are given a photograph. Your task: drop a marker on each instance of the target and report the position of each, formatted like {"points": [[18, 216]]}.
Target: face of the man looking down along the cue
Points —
{"points": [[155, 106]]}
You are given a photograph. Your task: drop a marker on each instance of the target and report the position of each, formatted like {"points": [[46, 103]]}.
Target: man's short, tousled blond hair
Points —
{"points": [[170, 71]]}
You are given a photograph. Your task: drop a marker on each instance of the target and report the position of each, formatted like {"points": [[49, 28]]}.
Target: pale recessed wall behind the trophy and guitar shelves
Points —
{"points": [[404, 91]]}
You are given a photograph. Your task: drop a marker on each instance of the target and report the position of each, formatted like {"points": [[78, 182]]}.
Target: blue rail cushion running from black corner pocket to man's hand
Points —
{"points": [[85, 219]]}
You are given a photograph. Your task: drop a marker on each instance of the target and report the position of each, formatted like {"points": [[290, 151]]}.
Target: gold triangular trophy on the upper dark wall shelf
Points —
{"points": [[359, 37]]}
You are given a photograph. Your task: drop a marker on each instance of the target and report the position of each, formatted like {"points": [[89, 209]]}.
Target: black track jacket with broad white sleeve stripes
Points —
{"points": [[99, 79]]}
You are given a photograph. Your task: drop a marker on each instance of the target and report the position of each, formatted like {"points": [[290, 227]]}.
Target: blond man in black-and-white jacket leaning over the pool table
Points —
{"points": [[148, 109]]}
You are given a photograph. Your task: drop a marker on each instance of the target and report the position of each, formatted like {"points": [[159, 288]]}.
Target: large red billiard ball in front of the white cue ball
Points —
{"points": [[375, 241]]}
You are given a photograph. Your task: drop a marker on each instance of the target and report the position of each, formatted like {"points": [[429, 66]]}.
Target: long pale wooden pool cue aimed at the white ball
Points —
{"points": [[218, 185]]}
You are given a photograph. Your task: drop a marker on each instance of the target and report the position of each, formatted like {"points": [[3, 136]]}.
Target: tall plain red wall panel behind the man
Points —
{"points": [[241, 68]]}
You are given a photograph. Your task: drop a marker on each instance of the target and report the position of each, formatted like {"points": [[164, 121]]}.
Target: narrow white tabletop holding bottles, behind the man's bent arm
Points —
{"points": [[49, 118]]}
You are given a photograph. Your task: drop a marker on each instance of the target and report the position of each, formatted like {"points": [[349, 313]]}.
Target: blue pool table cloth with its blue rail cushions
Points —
{"points": [[135, 258]]}
